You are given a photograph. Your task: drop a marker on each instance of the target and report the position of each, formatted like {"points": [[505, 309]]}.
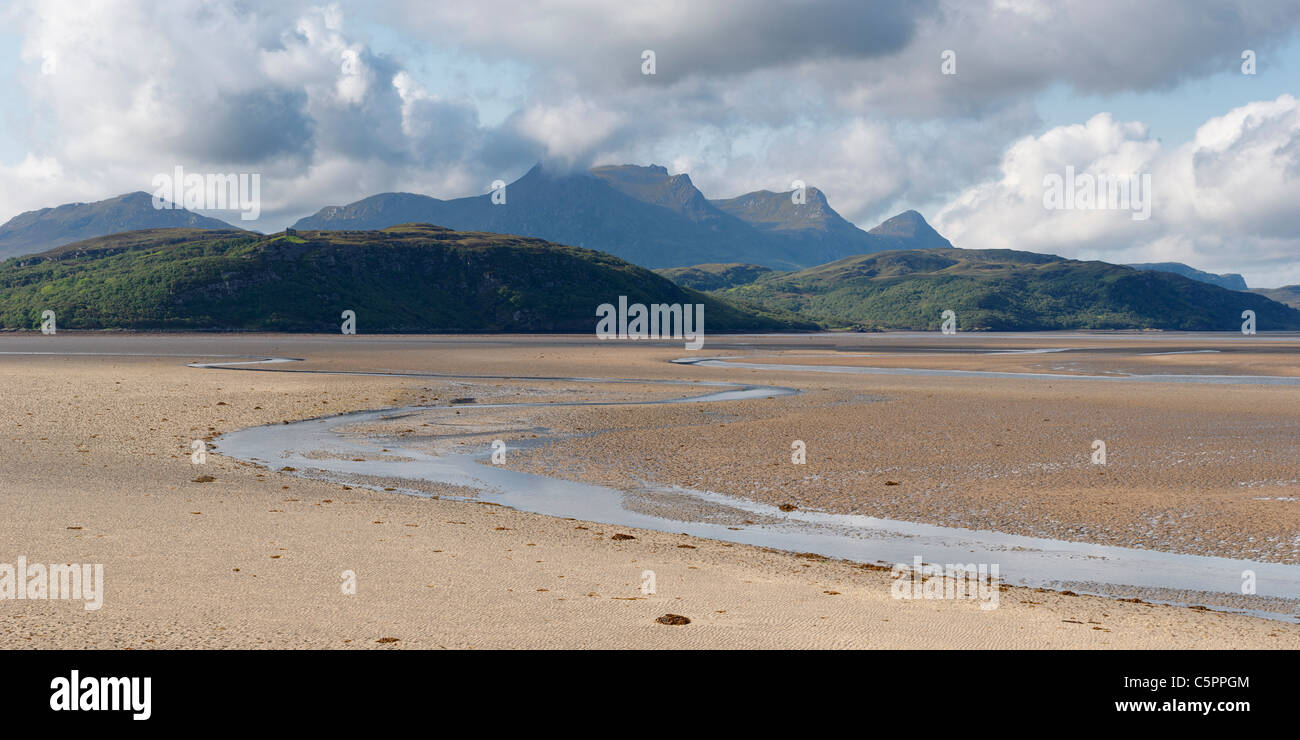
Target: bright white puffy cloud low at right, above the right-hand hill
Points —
{"points": [[1223, 202]]}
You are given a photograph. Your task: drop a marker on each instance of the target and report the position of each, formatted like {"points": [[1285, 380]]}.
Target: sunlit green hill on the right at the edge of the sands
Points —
{"points": [[1003, 291]]}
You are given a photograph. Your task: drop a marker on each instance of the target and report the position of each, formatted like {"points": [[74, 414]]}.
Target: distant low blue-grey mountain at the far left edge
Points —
{"points": [[49, 228]]}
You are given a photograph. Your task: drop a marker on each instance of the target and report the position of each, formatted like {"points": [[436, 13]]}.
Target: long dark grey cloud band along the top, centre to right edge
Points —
{"points": [[863, 57]]}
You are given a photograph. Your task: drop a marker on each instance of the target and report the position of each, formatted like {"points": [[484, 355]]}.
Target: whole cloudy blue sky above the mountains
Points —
{"points": [[333, 102]]}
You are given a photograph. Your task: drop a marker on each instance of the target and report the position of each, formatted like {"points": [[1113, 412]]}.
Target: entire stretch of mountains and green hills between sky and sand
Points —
{"points": [[565, 243]]}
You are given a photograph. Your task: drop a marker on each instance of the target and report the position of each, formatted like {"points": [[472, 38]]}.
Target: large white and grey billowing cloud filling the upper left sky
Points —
{"points": [[284, 92]]}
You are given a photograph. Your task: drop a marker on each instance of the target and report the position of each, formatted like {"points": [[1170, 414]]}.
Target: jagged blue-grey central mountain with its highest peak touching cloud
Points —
{"points": [[648, 218]]}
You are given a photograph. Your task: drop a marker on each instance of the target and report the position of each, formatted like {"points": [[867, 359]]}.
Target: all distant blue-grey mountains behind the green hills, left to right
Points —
{"points": [[642, 214]]}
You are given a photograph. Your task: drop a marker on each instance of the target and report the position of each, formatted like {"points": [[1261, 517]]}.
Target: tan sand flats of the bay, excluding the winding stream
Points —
{"points": [[97, 470]]}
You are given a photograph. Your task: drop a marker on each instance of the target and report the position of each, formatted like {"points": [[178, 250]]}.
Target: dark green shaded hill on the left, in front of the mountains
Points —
{"points": [[413, 278]]}
